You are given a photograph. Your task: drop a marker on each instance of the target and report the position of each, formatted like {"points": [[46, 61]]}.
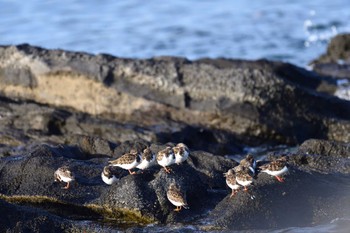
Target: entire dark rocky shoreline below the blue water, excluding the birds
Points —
{"points": [[59, 107]]}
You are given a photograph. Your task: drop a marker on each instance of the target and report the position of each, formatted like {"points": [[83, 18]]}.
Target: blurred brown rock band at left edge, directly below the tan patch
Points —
{"points": [[25, 123]]}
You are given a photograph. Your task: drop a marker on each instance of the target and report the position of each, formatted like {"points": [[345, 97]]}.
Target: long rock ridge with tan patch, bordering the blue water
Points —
{"points": [[252, 101]]}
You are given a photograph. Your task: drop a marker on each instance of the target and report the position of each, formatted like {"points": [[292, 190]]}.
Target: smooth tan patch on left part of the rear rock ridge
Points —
{"points": [[78, 92]]}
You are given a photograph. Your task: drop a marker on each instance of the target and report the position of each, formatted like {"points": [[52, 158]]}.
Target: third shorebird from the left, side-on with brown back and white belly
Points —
{"points": [[127, 161]]}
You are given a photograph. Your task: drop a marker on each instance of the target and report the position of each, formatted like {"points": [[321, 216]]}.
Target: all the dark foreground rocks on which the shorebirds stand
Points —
{"points": [[314, 192]]}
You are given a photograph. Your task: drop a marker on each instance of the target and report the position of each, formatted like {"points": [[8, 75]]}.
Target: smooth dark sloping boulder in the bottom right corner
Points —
{"points": [[315, 192]]}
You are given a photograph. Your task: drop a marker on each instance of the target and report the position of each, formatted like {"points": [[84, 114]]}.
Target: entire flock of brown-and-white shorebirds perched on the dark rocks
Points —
{"points": [[237, 177]]}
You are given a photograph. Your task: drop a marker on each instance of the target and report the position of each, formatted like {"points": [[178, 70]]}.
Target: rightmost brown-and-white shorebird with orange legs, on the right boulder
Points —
{"points": [[276, 168]]}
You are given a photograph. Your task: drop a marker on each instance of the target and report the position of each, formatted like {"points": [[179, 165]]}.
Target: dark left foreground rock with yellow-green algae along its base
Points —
{"points": [[139, 198]]}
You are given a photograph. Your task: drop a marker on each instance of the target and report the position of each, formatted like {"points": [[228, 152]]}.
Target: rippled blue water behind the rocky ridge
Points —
{"points": [[295, 31]]}
